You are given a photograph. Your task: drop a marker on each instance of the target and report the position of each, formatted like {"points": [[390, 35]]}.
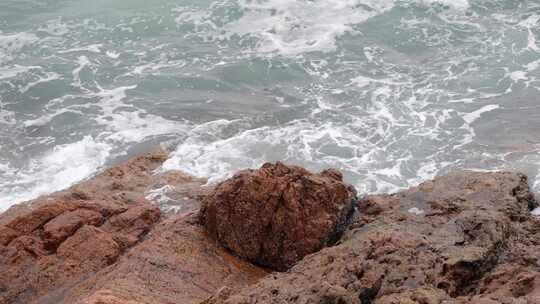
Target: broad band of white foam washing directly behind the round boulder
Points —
{"points": [[359, 148]]}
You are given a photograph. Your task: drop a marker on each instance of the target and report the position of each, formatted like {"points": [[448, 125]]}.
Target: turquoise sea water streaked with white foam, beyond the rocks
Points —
{"points": [[391, 92]]}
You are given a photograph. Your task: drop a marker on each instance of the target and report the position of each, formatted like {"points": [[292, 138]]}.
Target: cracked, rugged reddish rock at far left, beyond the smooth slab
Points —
{"points": [[49, 245]]}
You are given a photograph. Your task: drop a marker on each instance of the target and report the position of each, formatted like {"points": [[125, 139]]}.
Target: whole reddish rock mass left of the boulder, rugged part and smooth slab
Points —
{"points": [[102, 242]]}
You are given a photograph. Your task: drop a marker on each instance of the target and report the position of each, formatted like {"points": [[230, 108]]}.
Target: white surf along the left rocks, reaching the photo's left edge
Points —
{"points": [[69, 163]]}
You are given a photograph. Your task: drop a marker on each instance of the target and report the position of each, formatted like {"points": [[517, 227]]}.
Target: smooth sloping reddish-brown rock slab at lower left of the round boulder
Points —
{"points": [[178, 263]]}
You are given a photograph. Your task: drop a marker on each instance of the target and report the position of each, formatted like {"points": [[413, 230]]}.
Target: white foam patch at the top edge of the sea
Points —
{"points": [[290, 27]]}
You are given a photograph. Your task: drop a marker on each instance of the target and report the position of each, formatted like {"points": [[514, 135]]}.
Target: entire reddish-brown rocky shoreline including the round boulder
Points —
{"points": [[275, 235]]}
